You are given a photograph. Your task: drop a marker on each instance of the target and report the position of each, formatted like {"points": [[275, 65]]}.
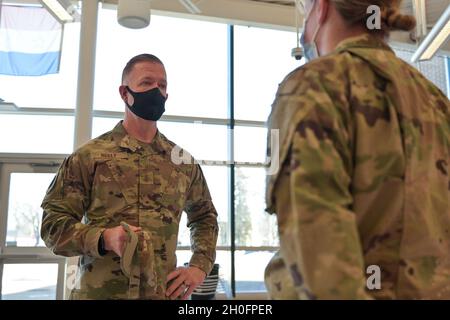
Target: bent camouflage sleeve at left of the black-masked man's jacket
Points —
{"points": [[64, 207]]}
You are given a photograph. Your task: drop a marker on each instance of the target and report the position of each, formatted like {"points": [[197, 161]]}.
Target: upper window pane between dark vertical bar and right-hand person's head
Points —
{"points": [[262, 60]]}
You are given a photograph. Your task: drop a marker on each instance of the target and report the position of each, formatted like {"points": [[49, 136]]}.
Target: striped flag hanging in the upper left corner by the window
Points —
{"points": [[30, 41]]}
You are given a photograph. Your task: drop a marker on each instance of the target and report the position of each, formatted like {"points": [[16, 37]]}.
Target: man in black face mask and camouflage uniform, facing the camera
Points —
{"points": [[117, 202]]}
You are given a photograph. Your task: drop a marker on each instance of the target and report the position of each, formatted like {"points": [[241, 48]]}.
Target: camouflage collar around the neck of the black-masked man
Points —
{"points": [[124, 140]]}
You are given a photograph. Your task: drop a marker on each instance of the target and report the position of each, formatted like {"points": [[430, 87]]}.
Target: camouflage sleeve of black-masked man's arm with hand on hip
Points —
{"points": [[202, 222]]}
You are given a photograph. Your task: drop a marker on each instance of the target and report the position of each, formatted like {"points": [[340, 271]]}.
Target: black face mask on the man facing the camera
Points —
{"points": [[148, 105]]}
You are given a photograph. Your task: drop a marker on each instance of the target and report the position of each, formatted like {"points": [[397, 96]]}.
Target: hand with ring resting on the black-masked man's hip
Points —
{"points": [[185, 280]]}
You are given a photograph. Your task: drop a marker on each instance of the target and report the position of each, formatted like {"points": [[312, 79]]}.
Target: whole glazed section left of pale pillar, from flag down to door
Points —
{"points": [[36, 119]]}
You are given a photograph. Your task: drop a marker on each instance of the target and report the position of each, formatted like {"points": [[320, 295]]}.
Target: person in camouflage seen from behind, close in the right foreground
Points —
{"points": [[364, 175]]}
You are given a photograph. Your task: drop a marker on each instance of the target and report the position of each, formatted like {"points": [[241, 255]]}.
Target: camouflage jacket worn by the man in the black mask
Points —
{"points": [[115, 178]]}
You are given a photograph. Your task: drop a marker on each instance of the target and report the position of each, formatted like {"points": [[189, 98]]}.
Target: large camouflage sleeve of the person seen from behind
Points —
{"points": [[319, 235]]}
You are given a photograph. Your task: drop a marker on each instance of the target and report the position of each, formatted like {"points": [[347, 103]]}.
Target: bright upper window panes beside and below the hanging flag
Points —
{"points": [[40, 125]]}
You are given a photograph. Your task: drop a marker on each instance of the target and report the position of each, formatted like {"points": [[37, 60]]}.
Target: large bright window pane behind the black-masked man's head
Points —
{"points": [[193, 52]]}
